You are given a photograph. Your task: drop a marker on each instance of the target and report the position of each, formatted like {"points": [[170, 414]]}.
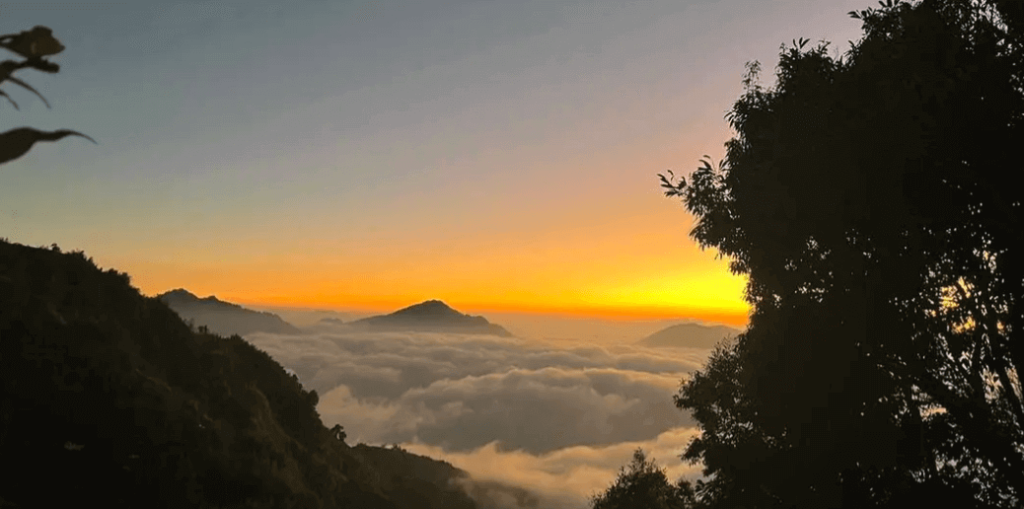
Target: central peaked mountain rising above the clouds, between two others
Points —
{"points": [[433, 316]]}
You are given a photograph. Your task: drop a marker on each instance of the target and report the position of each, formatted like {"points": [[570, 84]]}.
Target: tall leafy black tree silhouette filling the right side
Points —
{"points": [[871, 199]]}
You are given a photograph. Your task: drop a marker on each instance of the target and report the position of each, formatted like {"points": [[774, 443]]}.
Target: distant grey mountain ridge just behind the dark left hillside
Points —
{"points": [[224, 318]]}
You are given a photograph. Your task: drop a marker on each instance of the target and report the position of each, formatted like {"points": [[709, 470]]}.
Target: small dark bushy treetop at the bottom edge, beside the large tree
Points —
{"points": [[645, 486]]}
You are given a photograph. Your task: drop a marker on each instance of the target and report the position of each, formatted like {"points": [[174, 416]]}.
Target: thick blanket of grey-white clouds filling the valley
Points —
{"points": [[558, 418]]}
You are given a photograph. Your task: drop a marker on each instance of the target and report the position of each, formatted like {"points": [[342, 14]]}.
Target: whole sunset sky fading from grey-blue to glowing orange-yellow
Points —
{"points": [[371, 155]]}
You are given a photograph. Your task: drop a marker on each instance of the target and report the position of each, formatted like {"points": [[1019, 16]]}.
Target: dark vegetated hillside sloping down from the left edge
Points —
{"points": [[108, 398]]}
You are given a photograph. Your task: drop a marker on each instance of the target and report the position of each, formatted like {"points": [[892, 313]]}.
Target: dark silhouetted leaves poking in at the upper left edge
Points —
{"points": [[34, 46]]}
